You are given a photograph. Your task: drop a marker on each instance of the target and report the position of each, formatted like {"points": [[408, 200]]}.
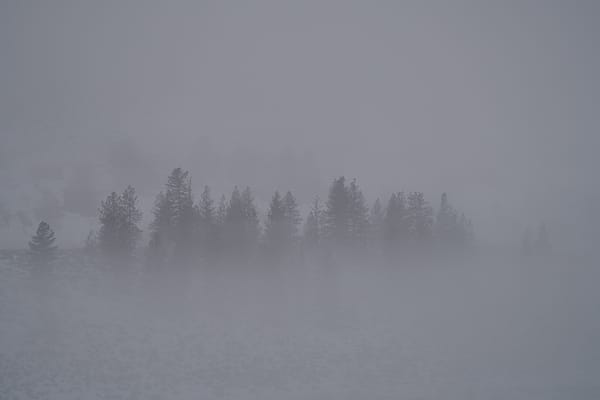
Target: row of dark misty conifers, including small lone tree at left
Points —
{"points": [[184, 231]]}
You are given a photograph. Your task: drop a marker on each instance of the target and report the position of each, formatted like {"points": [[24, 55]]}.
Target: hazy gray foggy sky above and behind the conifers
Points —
{"points": [[495, 102]]}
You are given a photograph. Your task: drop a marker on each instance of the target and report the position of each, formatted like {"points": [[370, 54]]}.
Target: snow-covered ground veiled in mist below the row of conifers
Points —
{"points": [[476, 330]]}
